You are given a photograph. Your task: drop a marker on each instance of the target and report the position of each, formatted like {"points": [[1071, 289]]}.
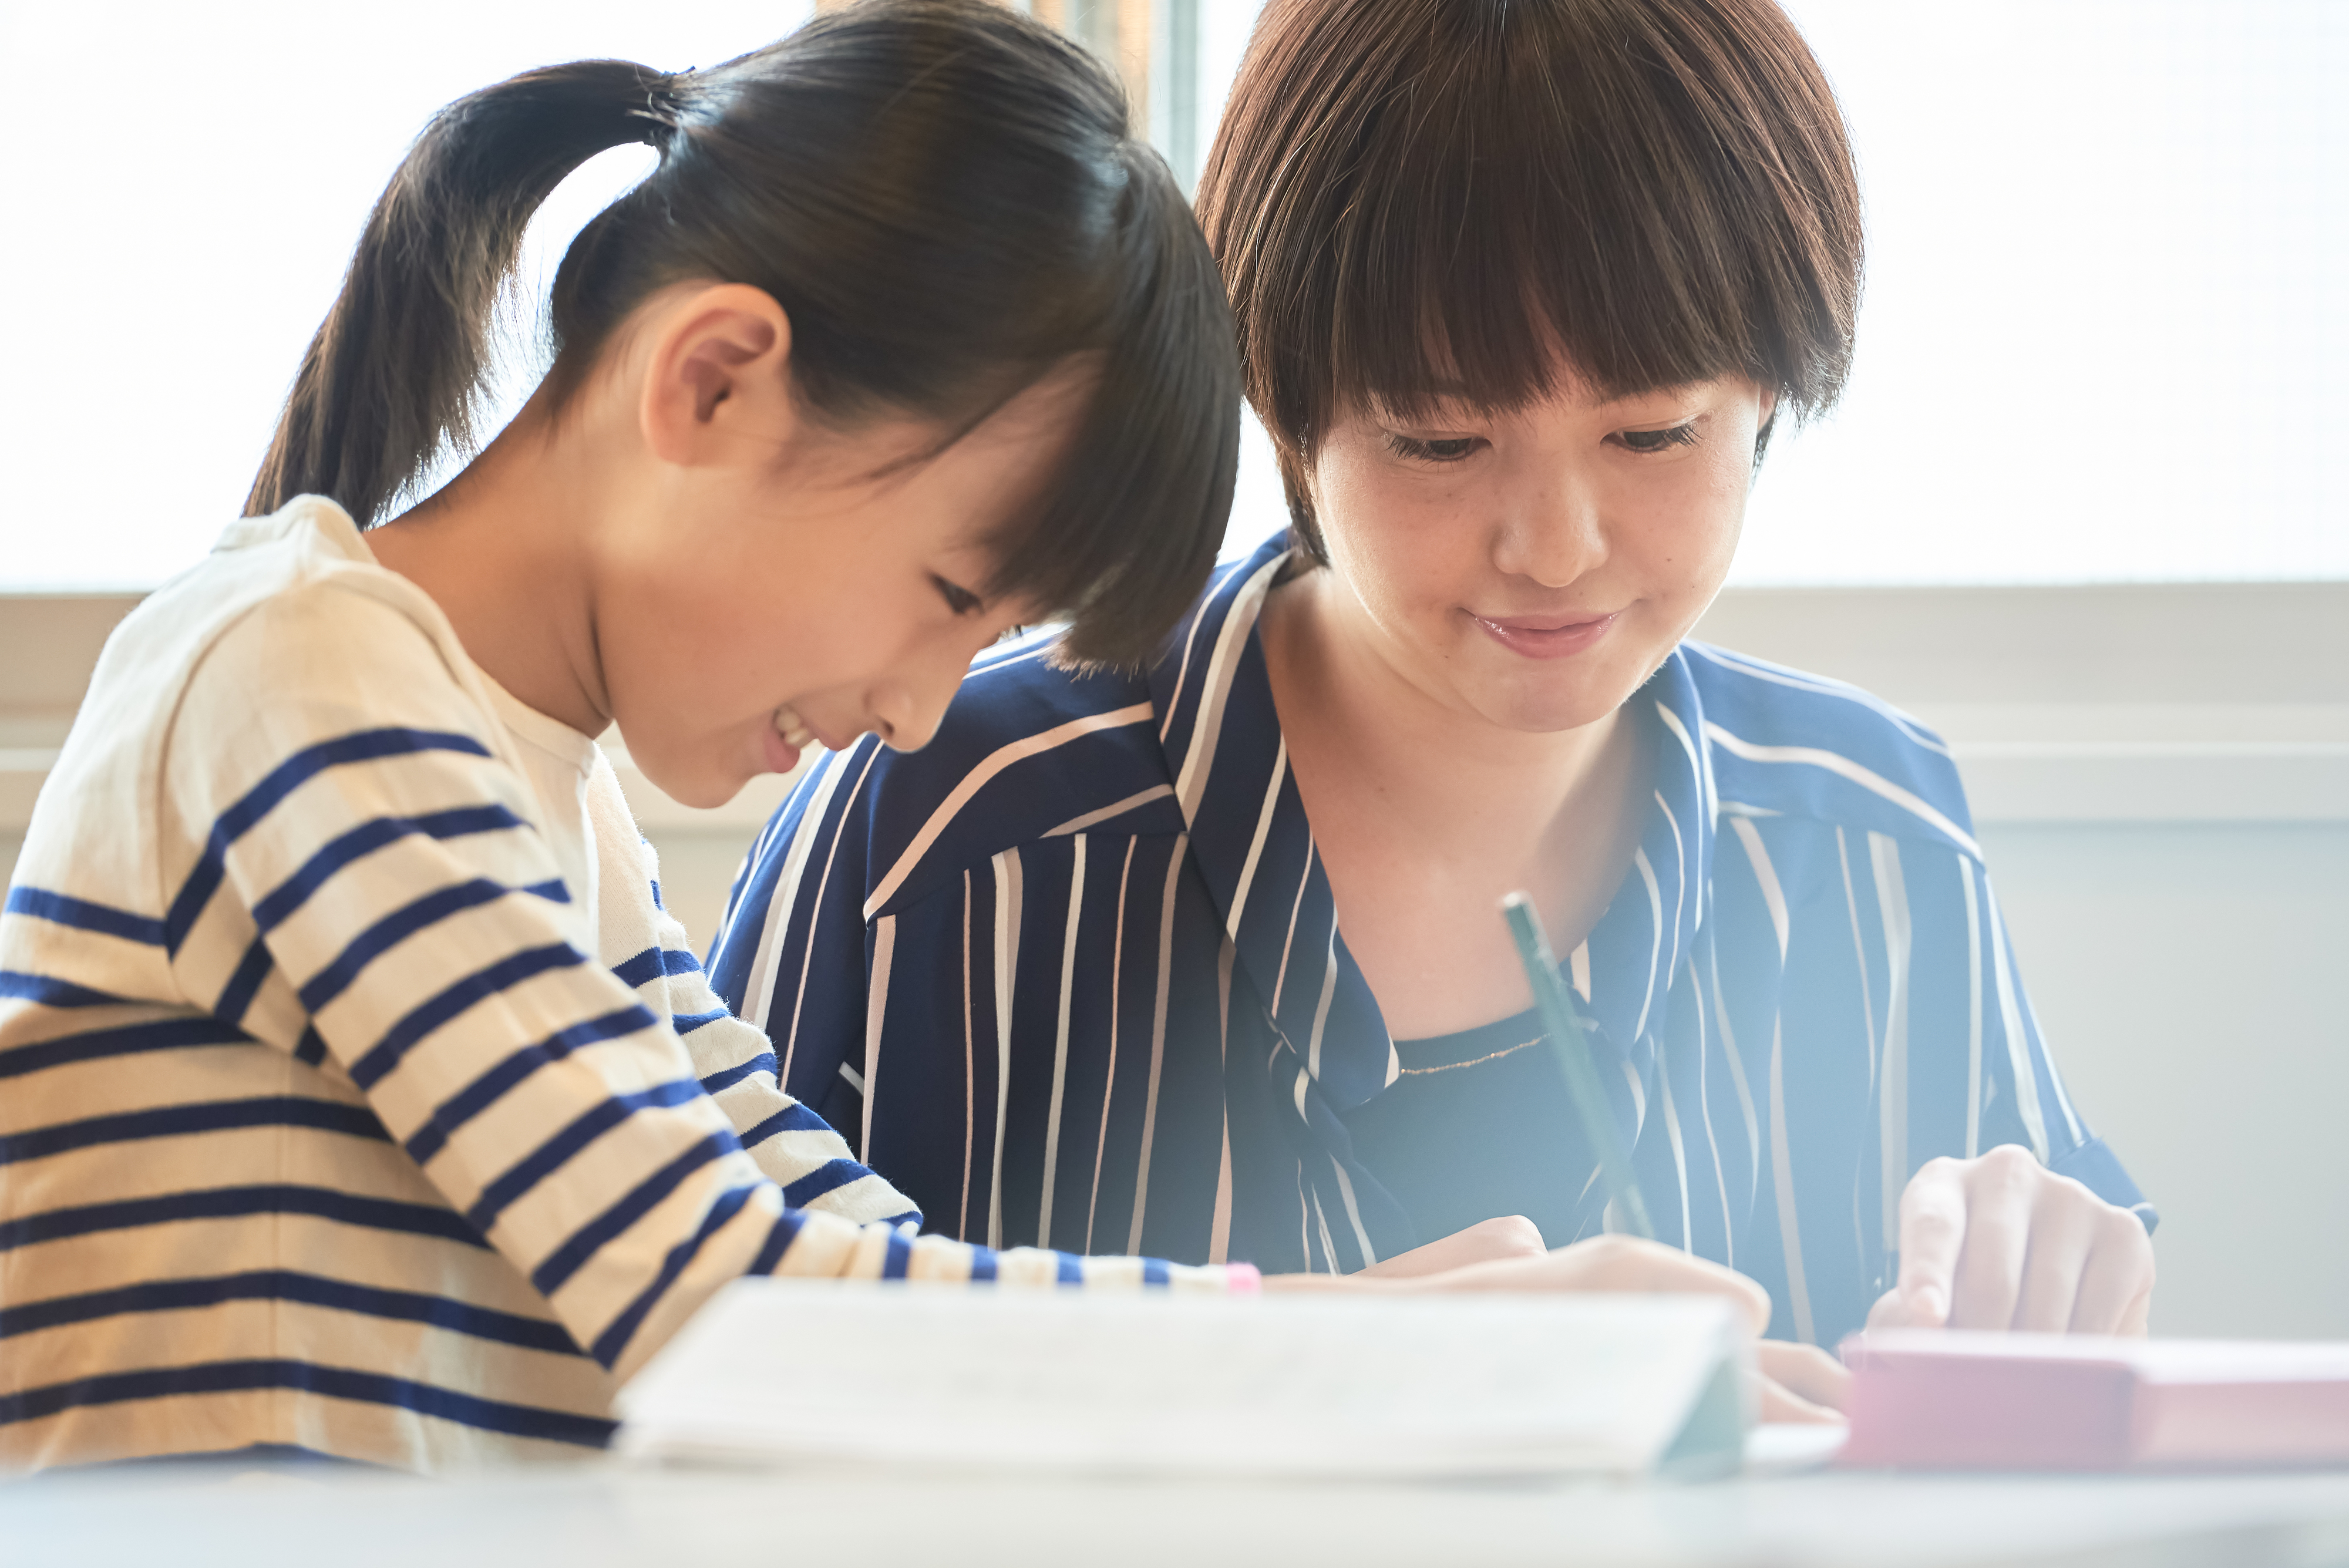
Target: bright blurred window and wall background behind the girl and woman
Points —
{"points": [[2085, 506]]}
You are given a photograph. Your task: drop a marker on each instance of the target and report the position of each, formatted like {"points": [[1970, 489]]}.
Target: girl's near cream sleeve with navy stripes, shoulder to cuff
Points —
{"points": [[447, 975]]}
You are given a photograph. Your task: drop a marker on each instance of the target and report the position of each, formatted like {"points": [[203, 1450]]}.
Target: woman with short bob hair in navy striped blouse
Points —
{"points": [[1204, 959]]}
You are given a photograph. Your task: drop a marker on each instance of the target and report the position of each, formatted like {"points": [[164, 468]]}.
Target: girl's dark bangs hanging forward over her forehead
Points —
{"points": [[1129, 534]]}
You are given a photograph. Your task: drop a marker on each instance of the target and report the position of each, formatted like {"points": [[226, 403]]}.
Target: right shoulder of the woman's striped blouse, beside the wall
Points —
{"points": [[1784, 743]]}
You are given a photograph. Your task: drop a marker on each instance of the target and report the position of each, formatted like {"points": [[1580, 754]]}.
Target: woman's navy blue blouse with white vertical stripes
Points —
{"points": [[1072, 973]]}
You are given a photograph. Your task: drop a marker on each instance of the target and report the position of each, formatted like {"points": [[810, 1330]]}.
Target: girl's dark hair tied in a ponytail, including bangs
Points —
{"points": [[943, 198]]}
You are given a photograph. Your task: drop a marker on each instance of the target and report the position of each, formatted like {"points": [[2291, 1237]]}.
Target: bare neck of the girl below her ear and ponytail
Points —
{"points": [[504, 553]]}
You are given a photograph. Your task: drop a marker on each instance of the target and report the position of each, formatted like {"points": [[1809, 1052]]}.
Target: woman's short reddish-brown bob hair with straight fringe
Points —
{"points": [[1469, 198]]}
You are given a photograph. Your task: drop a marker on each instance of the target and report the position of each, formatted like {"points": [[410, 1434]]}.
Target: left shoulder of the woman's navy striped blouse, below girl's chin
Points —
{"points": [[1028, 750]]}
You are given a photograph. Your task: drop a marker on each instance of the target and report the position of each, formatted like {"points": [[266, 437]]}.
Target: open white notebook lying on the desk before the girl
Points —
{"points": [[1436, 1386]]}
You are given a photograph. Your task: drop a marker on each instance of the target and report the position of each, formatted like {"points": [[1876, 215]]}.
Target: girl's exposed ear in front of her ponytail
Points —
{"points": [[718, 386]]}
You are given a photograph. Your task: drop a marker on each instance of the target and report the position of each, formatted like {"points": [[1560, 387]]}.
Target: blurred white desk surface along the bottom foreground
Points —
{"points": [[612, 1518]]}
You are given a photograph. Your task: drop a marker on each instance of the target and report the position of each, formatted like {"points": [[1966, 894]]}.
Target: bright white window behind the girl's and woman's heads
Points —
{"points": [[2101, 337]]}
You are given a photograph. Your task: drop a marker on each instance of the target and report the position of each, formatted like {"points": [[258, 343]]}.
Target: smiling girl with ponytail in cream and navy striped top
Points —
{"points": [[361, 1095]]}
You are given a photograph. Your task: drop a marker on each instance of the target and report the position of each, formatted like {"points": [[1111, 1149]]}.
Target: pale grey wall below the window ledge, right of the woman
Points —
{"points": [[2190, 985]]}
